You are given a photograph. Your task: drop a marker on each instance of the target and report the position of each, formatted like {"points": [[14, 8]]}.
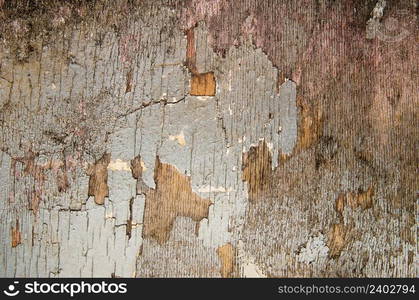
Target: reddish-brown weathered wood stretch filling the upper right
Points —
{"points": [[338, 71]]}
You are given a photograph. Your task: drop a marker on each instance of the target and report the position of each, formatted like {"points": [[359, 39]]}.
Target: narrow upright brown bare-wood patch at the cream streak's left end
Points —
{"points": [[98, 182]]}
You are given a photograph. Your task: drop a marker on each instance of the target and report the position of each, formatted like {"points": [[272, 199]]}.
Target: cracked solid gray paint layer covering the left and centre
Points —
{"points": [[203, 137]]}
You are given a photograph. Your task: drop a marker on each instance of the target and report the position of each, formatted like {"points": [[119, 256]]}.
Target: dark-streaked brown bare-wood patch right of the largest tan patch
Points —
{"points": [[257, 170]]}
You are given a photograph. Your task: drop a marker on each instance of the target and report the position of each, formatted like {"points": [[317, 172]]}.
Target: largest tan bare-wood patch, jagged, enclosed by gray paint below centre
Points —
{"points": [[172, 197]]}
